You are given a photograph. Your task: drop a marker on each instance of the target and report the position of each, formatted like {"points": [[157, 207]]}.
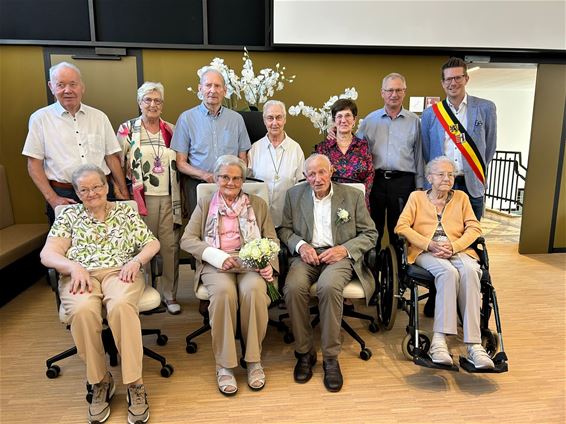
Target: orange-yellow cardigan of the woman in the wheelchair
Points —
{"points": [[418, 222]]}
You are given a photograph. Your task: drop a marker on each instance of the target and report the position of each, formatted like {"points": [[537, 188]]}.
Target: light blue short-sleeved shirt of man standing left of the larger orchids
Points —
{"points": [[204, 137]]}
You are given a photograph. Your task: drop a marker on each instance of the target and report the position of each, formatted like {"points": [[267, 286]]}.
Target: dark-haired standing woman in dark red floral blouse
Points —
{"points": [[349, 155]]}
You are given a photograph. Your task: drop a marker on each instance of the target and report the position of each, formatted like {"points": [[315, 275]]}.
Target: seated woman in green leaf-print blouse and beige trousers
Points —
{"points": [[99, 247]]}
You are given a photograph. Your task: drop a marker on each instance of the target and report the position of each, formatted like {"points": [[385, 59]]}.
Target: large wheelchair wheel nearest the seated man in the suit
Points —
{"points": [[388, 288]]}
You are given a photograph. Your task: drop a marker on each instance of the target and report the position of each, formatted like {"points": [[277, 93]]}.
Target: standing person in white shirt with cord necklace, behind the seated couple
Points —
{"points": [[276, 158]]}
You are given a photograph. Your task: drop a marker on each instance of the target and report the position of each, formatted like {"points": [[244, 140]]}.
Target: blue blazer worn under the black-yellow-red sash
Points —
{"points": [[482, 127]]}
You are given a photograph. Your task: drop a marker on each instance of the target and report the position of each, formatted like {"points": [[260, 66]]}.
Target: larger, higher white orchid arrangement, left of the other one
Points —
{"points": [[255, 89]]}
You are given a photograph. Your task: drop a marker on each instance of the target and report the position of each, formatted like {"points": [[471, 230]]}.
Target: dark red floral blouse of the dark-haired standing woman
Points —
{"points": [[354, 166]]}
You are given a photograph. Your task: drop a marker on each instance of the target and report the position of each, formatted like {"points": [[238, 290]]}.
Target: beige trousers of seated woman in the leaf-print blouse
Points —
{"points": [[85, 311]]}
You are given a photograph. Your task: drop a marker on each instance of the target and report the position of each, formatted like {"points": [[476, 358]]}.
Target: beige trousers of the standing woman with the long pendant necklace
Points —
{"points": [[159, 220]]}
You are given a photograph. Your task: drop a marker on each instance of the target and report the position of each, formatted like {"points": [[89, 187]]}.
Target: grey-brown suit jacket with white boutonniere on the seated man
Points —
{"points": [[358, 235]]}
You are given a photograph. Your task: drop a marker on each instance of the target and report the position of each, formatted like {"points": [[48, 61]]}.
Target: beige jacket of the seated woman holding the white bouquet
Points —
{"points": [[192, 240]]}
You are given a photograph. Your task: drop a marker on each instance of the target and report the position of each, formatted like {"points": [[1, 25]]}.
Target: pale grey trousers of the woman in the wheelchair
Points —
{"points": [[457, 282]]}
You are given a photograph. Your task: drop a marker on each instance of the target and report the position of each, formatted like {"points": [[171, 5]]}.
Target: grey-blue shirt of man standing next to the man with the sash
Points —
{"points": [[395, 143]]}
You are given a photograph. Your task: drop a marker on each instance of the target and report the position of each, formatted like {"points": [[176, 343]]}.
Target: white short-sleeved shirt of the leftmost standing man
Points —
{"points": [[65, 142]]}
